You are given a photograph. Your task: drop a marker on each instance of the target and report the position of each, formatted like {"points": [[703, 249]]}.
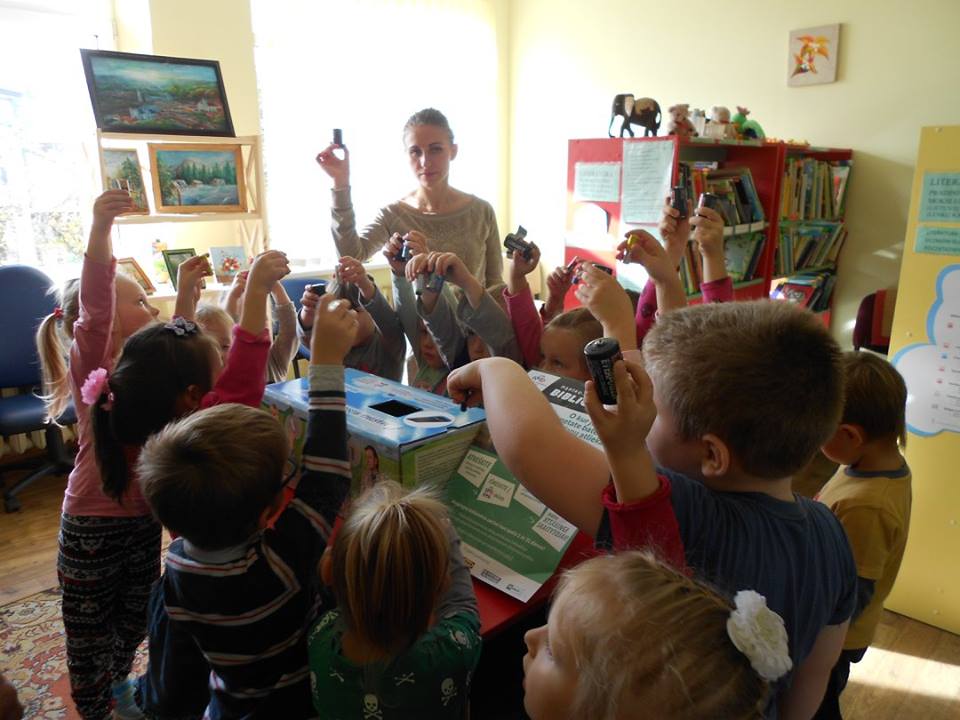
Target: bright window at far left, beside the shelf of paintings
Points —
{"points": [[48, 159]]}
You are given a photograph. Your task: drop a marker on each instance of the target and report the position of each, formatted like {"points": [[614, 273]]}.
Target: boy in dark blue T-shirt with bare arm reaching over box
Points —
{"points": [[725, 452]]}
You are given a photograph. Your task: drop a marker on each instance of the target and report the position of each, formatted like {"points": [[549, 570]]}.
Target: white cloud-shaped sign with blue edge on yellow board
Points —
{"points": [[932, 369]]}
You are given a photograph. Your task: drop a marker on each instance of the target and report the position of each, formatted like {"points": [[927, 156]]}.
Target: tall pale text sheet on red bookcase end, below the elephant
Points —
{"points": [[647, 171]]}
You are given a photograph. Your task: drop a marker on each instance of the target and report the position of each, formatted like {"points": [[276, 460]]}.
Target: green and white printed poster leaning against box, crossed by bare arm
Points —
{"points": [[510, 539]]}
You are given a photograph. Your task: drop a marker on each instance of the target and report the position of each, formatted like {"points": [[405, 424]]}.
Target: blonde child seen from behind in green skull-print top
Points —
{"points": [[405, 637]]}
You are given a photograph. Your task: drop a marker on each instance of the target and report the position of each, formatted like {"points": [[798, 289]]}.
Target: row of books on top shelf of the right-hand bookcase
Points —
{"points": [[814, 189]]}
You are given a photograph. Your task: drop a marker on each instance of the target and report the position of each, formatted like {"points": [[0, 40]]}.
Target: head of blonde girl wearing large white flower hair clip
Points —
{"points": [[629, 637]]}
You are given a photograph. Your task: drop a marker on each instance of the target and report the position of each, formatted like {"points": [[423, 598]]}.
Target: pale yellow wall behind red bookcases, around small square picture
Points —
{"points": [[899, 69]]}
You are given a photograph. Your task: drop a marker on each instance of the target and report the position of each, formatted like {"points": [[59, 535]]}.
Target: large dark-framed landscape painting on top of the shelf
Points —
{"points": [[155, 94]]}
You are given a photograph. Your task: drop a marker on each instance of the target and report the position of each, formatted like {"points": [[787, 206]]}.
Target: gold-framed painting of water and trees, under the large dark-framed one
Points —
{"points": [[197, 178]]}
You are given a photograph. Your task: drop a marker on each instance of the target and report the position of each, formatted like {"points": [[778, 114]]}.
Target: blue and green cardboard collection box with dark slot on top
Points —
{"points": [[395, 431]]}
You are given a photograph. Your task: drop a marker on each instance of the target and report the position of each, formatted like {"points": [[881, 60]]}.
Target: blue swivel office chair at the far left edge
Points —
{"points": [[25, 292]]}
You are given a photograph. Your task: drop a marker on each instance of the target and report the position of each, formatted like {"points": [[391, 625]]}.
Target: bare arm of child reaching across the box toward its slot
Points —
{"points": [[564, 472]]}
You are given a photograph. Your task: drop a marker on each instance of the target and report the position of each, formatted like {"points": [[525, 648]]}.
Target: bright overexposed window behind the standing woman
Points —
{"points": [[365, 66]]}
